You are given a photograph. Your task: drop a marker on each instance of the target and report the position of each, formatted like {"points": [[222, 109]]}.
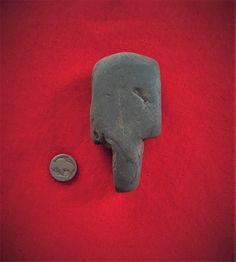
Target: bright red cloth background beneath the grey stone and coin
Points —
{"points": [[183, 208]]}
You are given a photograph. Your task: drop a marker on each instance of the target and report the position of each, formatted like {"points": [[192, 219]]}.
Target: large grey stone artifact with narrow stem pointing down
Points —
{"points": [[125, 109]]}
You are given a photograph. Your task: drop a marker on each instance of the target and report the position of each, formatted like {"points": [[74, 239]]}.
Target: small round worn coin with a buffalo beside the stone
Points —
{"points": [[63, 167]]}
